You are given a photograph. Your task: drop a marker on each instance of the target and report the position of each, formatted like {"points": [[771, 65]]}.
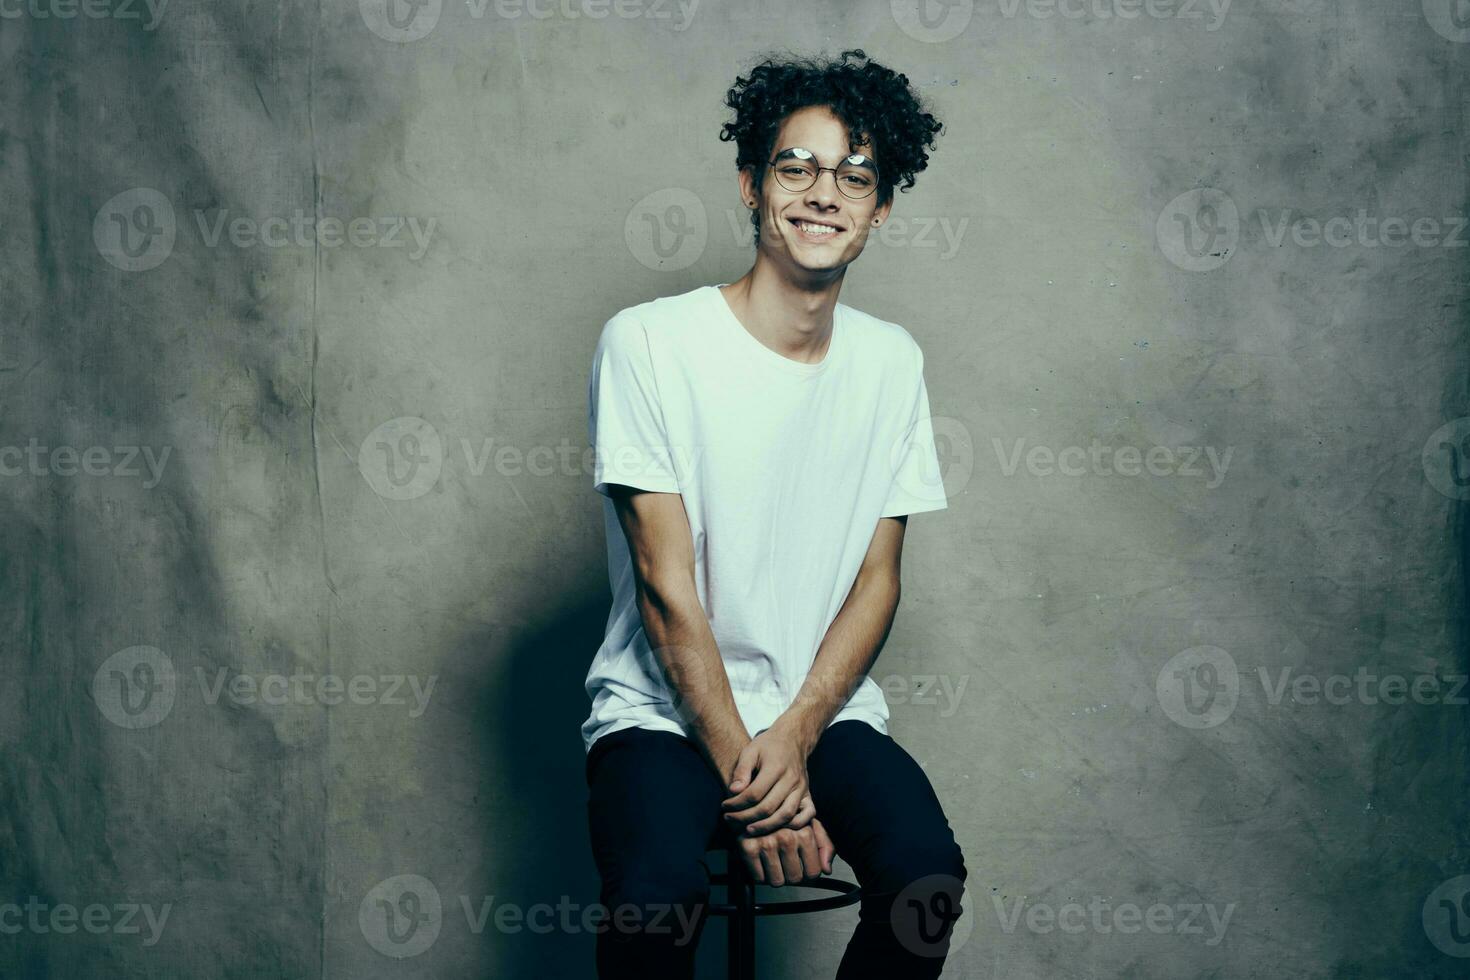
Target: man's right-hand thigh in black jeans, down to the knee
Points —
{"points": [[880, 809]]}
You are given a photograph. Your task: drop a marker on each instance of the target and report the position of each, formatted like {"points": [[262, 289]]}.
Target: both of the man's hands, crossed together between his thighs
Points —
{"points": [[772, 815]]}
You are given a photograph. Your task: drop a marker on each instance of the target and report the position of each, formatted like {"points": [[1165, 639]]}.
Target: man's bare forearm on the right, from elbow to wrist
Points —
{"points": [[847, 653]]}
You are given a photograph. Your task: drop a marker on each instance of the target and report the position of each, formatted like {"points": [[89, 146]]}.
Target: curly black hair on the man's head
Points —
{"points": [[868, 98]]}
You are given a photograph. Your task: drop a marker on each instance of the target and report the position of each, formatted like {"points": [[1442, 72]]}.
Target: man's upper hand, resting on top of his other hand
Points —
{"points": [[771, 785]]}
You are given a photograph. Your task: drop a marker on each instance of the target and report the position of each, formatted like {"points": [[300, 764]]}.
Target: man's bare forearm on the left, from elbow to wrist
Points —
{"points": [[684, 644]]}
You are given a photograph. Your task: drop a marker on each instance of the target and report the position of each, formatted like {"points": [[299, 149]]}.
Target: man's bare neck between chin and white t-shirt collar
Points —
{"points": [[792, 318]]}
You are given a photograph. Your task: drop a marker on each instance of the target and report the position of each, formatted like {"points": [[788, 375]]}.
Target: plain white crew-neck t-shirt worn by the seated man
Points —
{"points": [[784, 469]]}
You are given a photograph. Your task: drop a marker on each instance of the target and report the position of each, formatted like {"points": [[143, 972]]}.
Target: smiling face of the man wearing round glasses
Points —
{"points": [[795, 224]]}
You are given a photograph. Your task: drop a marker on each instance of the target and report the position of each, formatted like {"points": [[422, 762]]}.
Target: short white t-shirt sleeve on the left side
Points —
{"points": [[625, 421]]}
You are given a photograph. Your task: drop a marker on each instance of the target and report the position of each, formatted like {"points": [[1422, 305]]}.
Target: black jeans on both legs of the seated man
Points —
{"points": [[655, 810]]}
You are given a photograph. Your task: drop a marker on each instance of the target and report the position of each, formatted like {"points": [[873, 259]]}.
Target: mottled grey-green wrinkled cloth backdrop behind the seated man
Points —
{"points": [[370, 480]]}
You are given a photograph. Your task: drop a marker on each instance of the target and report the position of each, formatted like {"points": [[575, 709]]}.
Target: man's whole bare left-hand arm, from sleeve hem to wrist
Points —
{"points": [[662, 547]]}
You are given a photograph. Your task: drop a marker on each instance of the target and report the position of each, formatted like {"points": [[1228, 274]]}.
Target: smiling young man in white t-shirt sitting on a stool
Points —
{"points": [[759, 447]]}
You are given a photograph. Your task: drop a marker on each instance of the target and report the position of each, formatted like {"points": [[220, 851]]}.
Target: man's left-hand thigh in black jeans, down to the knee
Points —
{"points": [[653, 809]]}
